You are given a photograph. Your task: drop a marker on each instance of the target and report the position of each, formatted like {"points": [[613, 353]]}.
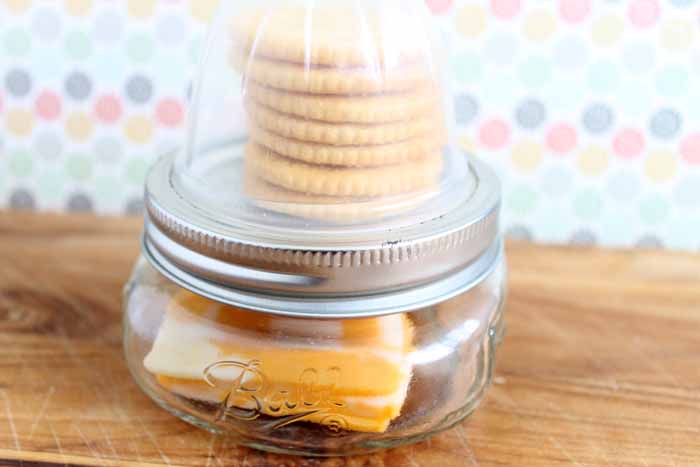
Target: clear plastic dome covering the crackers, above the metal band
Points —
{"points": [[323, 115]]}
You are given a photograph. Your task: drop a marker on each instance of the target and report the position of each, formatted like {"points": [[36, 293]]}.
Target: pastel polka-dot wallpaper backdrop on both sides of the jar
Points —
{"points": [[589, 110]]}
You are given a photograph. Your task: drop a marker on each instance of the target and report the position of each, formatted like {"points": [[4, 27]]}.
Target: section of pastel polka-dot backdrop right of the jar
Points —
{"points": [[595, 129]]}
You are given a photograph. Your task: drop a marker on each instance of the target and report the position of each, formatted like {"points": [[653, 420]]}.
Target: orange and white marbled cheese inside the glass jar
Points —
{"points": [[350, 374]]}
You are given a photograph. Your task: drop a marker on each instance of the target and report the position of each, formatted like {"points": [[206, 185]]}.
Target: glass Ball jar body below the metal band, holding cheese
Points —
{"points": [[312, 386]]}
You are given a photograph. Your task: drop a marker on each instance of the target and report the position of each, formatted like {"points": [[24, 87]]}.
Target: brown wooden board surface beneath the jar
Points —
{"points": [[601, 364]]}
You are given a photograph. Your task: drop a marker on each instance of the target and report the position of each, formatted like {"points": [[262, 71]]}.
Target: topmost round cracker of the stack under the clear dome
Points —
{"points": [[333, 35]]}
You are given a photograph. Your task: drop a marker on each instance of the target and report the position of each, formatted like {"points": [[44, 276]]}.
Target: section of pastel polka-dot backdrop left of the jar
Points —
{"points": [[85, 107]]}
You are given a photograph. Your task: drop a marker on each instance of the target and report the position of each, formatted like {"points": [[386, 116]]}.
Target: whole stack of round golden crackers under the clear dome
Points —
{"points": [[344, 121]]}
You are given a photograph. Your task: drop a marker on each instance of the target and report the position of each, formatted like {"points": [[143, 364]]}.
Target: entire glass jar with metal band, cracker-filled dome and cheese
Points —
{"points": [[322, 268]]}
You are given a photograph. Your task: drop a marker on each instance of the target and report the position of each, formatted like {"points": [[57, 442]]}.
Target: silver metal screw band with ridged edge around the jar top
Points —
{"points": [[195, 251]]}
